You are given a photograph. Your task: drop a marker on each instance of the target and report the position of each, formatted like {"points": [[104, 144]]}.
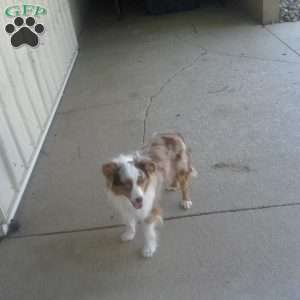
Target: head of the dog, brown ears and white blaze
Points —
{"points": [[129, 177]]}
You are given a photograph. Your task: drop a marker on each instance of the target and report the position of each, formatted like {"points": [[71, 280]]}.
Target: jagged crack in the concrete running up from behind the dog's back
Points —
{"points": [[160, 90]]}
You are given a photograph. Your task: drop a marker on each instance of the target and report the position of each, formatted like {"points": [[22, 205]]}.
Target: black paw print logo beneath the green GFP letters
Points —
{"points": [[22, 34]]}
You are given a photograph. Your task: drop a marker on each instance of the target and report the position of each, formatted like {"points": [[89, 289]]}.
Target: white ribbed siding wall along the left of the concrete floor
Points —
{"points": [[31, 84]]}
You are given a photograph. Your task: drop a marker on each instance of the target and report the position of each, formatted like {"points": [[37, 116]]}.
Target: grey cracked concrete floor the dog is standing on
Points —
{"points": [[232, 88]]}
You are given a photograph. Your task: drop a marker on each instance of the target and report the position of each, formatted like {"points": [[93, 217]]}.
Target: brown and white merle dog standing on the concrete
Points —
{"points": [[134, 183]]}
